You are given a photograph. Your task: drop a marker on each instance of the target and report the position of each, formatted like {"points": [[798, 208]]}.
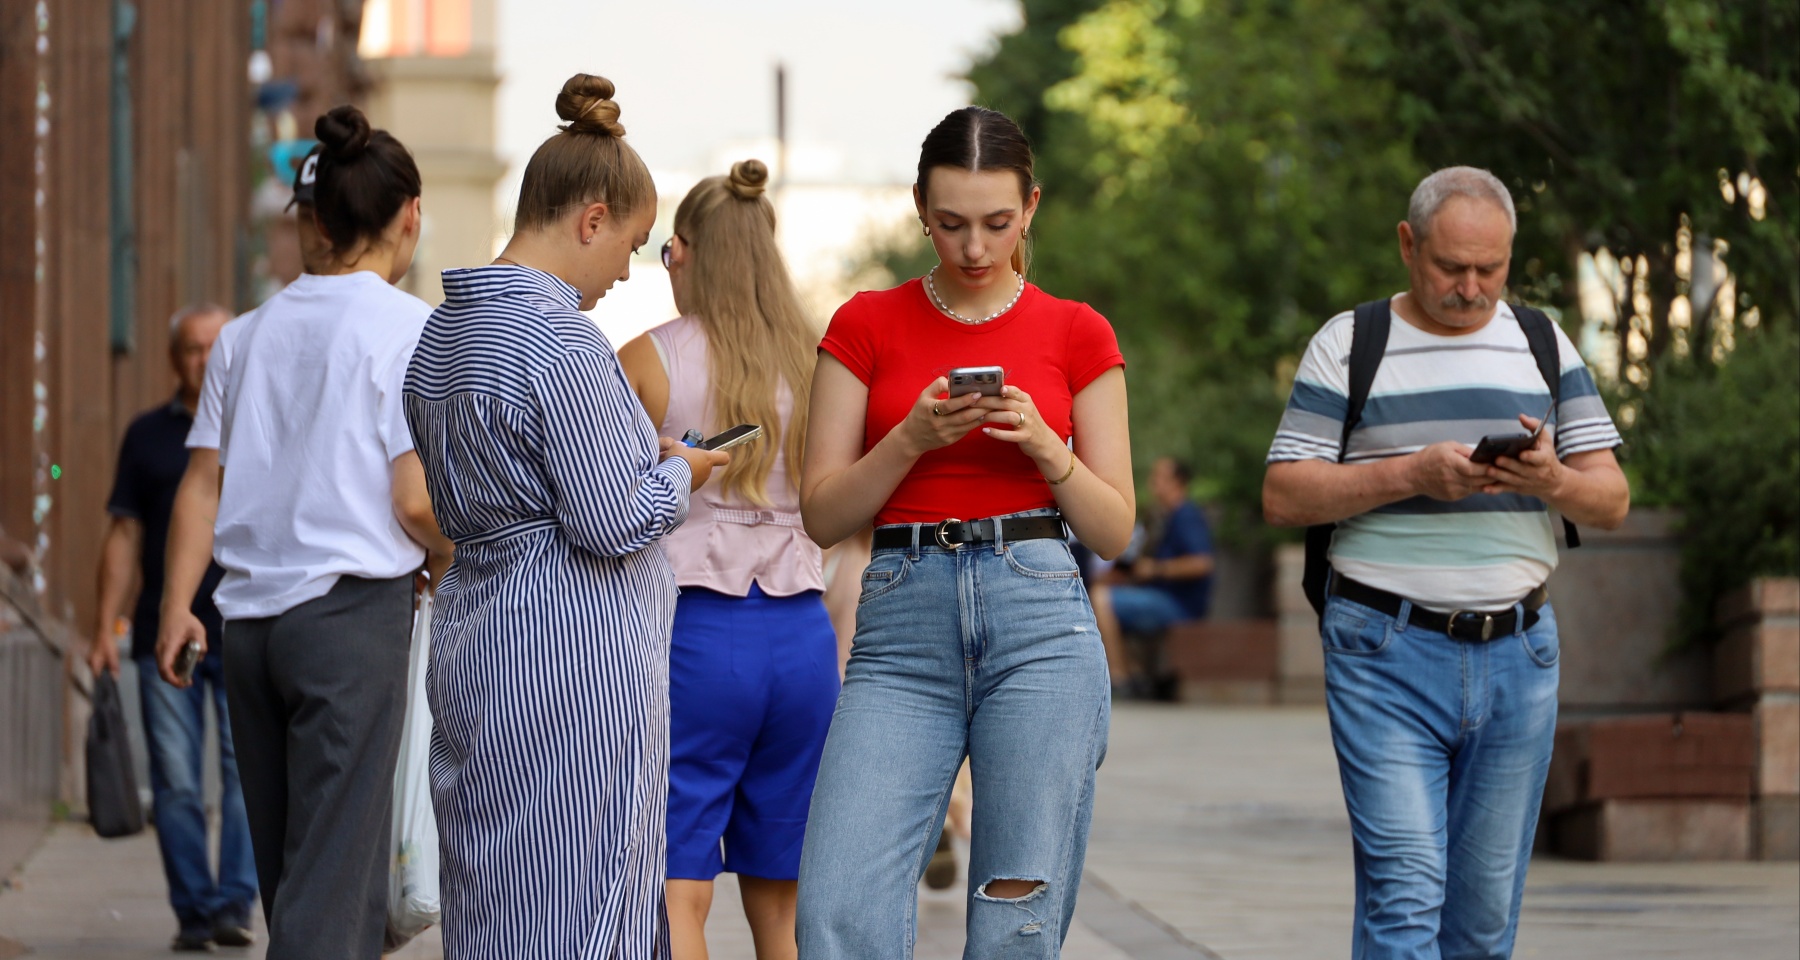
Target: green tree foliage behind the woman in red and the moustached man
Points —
{"points": [[1225, 176]]}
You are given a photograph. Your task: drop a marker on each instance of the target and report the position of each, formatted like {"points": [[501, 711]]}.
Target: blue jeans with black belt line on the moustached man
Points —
{"points": [[1443, 750]]}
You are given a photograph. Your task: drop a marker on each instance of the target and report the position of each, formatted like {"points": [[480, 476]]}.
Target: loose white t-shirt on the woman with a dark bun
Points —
{"points": [[303, 404]]}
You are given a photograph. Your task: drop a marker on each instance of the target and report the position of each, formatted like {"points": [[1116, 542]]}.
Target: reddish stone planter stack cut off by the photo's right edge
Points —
{"points": [[1758, 673]]}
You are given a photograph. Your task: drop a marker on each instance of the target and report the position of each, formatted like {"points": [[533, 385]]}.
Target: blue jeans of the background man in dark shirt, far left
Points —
{"points": [[175, 734]]}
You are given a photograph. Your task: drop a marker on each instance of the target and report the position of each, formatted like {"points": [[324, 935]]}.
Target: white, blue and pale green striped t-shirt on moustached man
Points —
{"points": [[1482, 552]]}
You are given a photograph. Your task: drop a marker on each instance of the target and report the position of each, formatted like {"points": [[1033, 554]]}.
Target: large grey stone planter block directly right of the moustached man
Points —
{"points": [[1617, 601]]}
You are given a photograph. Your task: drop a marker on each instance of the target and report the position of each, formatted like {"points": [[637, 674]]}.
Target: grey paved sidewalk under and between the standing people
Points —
{"points": [[1218, 835]]}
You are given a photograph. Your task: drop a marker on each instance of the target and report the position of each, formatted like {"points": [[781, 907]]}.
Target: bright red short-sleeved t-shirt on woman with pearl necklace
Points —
{"points": [[897, 343]]}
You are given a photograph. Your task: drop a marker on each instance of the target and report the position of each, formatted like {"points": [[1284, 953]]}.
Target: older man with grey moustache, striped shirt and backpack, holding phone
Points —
{"points": [[1423, 442]]}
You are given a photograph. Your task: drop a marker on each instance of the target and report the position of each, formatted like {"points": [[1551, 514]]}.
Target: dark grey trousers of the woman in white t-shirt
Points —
{"points": [[318, 696]]}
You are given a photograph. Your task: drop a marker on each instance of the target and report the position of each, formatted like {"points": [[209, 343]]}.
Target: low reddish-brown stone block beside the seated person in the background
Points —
{"points": [[1227, 662]]}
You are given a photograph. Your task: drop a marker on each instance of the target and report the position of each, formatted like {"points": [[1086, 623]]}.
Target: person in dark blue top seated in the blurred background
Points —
{"points": [[1155, 593]]}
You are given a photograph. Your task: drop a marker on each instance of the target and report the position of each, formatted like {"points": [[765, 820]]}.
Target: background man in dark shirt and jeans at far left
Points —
{"points": [[152, 462]]}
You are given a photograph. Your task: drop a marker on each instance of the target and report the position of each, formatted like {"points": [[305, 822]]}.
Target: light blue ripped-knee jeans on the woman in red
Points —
{"points": [[987, 653]]}
